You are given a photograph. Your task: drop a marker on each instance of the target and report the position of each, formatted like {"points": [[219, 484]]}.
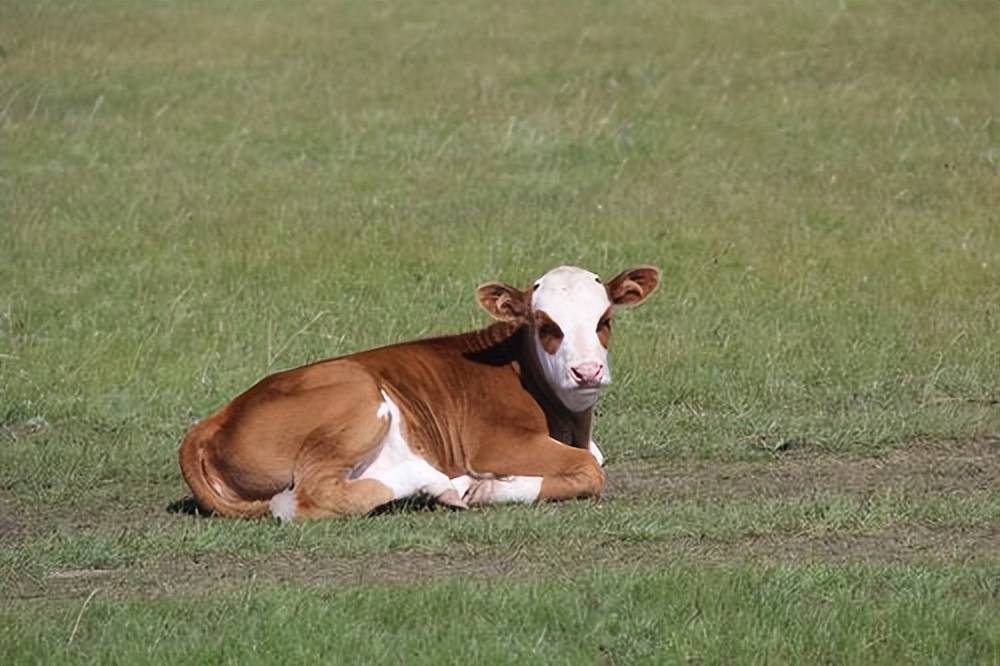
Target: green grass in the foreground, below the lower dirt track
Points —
{"points": [[734, 614]]}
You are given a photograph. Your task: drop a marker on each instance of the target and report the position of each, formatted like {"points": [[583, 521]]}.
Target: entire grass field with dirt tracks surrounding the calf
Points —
{"points": [[804, 432]]}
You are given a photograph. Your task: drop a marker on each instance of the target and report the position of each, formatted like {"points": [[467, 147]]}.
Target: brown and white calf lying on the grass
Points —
{"points": [[473, 418]]}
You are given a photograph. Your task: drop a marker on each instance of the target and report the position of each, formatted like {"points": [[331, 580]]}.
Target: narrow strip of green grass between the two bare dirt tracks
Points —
{"points": [[573, 535]]}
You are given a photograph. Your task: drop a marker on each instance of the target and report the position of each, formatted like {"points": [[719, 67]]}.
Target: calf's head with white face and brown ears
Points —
{"points": [[568, 311]]}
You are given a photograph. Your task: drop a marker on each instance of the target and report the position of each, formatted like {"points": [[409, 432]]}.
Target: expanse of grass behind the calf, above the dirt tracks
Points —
{"points": [[194, 196]]}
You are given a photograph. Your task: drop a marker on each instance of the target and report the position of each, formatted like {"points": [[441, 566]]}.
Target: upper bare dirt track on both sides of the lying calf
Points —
{"points": [[920, 467]]}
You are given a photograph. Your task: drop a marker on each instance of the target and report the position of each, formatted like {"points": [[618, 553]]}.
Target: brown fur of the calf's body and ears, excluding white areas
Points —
{"points": [[474, 403]]}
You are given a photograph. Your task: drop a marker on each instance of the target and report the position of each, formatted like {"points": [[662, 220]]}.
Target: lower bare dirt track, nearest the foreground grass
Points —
{"points": [[203, 575]]}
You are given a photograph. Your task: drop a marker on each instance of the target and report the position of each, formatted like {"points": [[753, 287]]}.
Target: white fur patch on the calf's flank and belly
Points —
{"points": [[397, 466]]}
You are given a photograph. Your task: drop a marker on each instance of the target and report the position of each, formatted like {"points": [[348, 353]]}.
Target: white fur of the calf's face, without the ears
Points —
{"points": [[575, 300]]}
